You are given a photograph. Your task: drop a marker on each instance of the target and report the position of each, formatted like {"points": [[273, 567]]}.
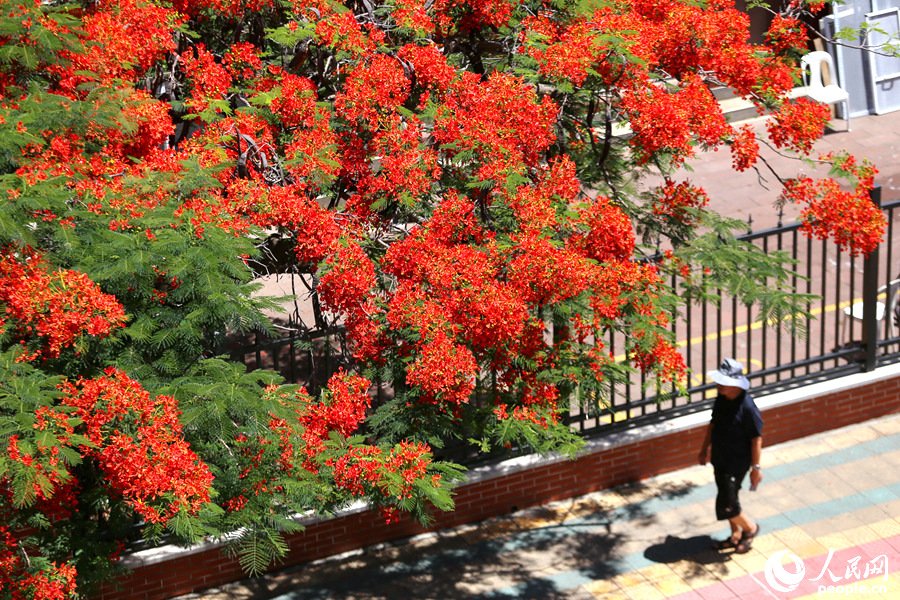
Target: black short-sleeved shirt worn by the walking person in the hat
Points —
{"points": [[735, 423]]}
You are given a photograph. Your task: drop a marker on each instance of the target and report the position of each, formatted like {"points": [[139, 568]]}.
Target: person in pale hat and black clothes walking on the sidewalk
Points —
{"points": [[735, 437]]}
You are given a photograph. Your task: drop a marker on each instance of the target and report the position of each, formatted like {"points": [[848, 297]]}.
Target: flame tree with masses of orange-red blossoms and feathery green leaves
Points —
{"points": [[442, 174]]}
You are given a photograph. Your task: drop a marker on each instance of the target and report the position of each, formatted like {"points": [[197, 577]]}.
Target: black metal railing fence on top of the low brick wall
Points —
{"points": [[855, 326]]}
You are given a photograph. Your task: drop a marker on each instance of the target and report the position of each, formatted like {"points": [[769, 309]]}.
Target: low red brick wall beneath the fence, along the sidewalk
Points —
{"points": [[528, 487]]}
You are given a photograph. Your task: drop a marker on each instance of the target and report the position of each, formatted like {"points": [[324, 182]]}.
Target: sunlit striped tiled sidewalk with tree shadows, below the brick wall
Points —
{"points": [[827, 503]]}
